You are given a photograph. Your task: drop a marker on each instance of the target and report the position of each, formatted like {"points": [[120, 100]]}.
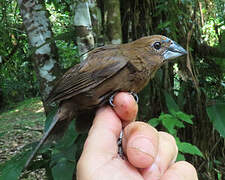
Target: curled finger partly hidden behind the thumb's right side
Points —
{"points": [[167, 153]]}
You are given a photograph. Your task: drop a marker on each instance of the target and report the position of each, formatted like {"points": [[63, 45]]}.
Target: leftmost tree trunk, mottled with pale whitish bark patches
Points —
{"points": [[45, 57]]}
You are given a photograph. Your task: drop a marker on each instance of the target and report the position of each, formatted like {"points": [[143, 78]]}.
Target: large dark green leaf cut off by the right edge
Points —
{"points": [[216, 114]]}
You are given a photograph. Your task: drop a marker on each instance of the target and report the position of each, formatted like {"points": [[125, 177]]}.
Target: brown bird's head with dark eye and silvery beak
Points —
{"points": [[159, 47]]}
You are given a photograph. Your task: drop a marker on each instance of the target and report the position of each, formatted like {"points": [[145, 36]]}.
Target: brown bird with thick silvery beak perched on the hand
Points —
{"points": [[106, 71]]}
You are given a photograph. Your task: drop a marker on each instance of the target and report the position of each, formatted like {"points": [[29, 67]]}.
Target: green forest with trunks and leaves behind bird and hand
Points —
{"points": [[40, 40]]}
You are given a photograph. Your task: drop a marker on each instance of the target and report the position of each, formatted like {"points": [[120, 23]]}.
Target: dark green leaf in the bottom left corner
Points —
{"points": [[11, 170]]}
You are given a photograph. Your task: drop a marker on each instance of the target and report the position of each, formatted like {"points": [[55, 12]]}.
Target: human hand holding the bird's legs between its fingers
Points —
{"points": [[150, 154]]}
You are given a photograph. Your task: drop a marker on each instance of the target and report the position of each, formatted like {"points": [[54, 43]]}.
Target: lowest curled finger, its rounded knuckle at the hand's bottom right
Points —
{"points": [[181, 170]]}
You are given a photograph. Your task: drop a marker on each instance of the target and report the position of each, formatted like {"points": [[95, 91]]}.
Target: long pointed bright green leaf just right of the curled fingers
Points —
{"points": [[189, 148]]}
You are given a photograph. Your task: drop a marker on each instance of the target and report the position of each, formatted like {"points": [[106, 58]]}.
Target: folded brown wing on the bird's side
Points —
{"points": [[100, 65]]}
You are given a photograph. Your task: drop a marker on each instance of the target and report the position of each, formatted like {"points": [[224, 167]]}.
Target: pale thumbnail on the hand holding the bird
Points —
{"points": [[143, 144]]}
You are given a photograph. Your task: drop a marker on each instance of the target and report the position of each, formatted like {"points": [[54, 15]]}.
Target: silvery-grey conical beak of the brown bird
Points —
{"points": [[174, 50]]}
